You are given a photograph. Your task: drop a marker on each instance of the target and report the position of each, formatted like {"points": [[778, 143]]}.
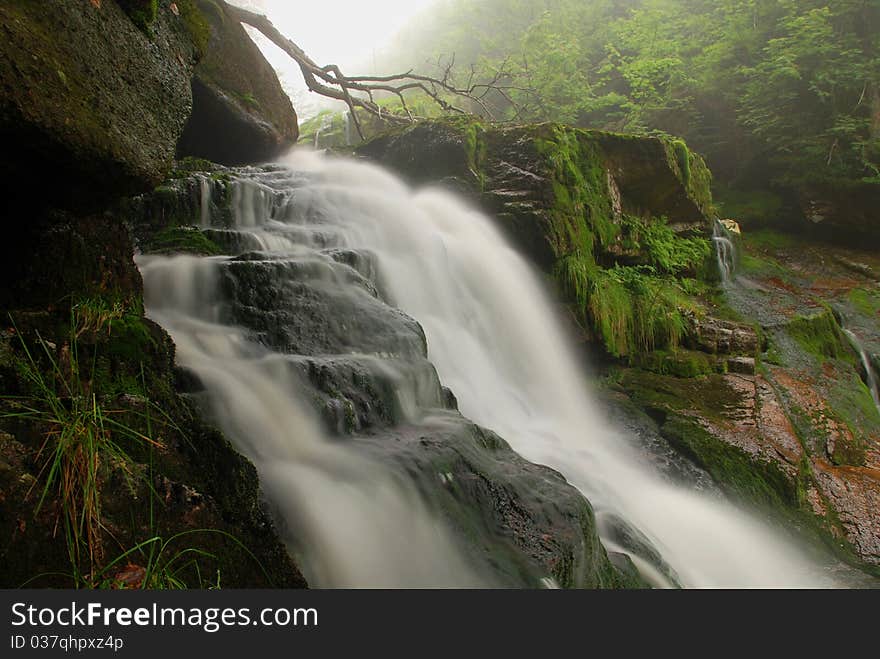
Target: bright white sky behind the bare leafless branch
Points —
{"points": [[344, 32]]}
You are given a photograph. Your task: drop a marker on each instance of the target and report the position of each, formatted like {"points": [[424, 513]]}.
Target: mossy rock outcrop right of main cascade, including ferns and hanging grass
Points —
{"points": [[621, 222]]}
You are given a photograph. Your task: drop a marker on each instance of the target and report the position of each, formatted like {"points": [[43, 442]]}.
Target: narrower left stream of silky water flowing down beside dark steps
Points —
{"points": [[356, 524]]}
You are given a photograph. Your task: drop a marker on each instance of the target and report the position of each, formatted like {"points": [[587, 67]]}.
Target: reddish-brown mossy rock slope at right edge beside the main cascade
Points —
{"points": [[797, 426]]}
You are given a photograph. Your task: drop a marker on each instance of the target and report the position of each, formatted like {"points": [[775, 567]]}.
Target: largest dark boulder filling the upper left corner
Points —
{"points": [[89, 100]]}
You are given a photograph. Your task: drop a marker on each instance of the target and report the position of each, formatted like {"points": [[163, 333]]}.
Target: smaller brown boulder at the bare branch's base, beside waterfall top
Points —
{"points": [[241, 114]]}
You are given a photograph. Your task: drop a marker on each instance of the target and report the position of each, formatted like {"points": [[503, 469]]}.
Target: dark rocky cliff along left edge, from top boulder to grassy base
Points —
{"points": [[108, 477]]}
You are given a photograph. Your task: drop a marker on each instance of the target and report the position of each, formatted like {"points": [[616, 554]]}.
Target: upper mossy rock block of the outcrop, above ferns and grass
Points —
{"points": [[558, 190]]}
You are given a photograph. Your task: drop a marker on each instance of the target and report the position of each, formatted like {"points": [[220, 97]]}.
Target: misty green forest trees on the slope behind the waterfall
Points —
{"points": [[787, 89]]}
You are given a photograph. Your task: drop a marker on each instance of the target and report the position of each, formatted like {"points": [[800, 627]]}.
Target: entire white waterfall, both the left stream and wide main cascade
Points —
{"points": [[494, 339]]}
